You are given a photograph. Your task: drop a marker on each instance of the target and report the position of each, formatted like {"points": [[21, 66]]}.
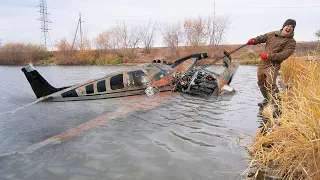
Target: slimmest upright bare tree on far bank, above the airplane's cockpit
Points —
{"points": [[148, 33]]}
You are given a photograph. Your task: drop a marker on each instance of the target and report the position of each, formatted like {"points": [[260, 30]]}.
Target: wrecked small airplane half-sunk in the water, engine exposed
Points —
{"points": [[182, 76]]}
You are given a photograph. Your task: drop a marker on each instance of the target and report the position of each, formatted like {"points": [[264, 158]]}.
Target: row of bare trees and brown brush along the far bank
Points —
{"points": [[124, 43]]}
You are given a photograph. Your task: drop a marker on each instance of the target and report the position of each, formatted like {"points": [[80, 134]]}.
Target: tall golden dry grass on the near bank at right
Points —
{"points": [[290, 147]]}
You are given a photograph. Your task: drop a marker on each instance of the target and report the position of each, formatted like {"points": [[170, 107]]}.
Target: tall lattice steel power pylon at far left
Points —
{"points": [[44, 23]]}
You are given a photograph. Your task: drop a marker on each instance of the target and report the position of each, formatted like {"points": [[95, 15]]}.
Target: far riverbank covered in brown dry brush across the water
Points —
{"points": [[22, 54]]}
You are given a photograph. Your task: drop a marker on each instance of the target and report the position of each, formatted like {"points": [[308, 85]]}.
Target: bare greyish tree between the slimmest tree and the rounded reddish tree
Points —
{"points": [[172, 37]]}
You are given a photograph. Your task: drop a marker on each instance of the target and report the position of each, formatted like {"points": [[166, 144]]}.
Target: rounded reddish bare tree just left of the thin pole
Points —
{"points": [[196, 31]]}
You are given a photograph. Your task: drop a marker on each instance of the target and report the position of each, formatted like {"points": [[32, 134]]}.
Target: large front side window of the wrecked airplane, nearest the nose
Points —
{"points": [[137, 78]]}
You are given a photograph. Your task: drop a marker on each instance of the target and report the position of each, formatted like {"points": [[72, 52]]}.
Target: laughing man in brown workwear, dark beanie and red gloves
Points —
{"points": [[279, 46]]}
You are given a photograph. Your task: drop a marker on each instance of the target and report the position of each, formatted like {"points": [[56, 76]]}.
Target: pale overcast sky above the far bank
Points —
{"points": [[249, 18]]}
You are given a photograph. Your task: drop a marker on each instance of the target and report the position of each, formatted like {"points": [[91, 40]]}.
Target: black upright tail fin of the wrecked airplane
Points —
{"points": [[39, 85]]}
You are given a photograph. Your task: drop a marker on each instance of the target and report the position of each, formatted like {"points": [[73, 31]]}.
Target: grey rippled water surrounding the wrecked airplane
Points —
{"points": [[168, 136]]}
